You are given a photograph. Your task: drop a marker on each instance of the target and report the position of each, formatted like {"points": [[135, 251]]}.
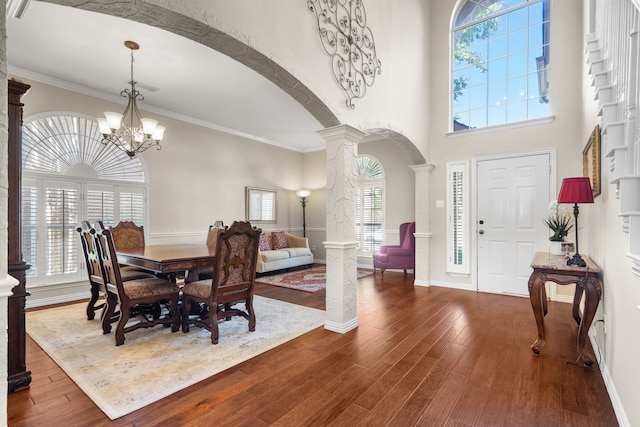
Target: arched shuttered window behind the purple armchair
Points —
{"points": [[370, 206]]}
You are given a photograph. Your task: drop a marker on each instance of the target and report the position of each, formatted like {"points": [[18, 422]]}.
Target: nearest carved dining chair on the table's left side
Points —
{"points": [[130, 295]]}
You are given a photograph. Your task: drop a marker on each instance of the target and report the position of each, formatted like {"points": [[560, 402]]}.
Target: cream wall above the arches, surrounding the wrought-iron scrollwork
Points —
{"points": [[286, 31]]}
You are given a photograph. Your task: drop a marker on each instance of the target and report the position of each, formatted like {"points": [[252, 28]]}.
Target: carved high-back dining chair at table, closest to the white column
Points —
{"points": [[234, 273]]}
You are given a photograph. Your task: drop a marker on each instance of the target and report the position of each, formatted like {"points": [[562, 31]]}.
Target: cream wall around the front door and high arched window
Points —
{"points": [[563, 133]]}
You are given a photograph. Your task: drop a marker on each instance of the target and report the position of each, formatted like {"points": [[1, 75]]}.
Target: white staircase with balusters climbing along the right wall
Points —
{"points": [[612, 51]]}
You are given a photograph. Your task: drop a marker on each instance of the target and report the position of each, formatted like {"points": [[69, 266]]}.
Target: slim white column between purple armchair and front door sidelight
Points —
{"points": [[423, 223]]}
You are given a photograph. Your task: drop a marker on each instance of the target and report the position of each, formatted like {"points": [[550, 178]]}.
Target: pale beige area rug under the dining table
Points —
{"points": [[151, 363]]}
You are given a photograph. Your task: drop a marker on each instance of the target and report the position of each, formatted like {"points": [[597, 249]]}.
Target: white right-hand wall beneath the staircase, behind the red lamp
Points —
{"points": [[617, 336]]}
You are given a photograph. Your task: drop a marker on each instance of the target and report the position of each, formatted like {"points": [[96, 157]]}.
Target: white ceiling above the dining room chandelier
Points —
{"points": [[84, 51]]}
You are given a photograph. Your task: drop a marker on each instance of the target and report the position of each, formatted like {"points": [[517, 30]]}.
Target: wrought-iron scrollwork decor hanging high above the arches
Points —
{"points": [[342, 25]]}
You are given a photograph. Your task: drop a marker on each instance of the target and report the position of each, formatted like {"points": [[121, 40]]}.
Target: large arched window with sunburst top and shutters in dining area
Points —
{"points": [[70, 176]]}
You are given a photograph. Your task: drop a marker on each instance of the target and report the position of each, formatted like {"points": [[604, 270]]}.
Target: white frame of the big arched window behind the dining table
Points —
{"points": [[64, 149]]}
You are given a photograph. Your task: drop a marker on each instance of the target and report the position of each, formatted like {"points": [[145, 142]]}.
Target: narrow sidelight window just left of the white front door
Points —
{"points": [[457, 218]]}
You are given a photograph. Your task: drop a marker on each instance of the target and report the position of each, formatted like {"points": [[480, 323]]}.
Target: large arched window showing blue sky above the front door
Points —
{"points": [[500, 62]]}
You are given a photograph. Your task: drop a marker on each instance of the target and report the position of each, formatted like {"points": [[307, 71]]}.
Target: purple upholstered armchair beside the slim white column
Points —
{"points": [[402, 256]]}
